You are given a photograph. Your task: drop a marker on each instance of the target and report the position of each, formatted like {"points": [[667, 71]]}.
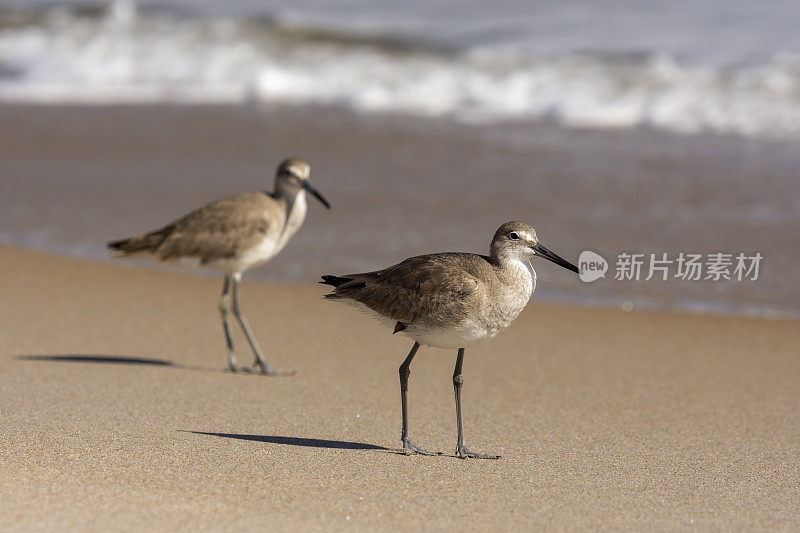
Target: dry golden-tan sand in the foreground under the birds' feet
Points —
{"points": [[605, 419]]}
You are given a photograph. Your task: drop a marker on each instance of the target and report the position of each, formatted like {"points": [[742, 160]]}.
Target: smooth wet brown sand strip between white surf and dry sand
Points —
{"points": [[75, 177]]}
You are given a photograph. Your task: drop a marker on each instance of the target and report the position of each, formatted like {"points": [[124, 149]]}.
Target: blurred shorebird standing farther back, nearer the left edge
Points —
{"points": [[232, 235]]}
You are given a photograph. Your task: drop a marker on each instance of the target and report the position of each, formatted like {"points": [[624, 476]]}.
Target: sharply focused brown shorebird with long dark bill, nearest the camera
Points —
{"points": [[450, 300]]}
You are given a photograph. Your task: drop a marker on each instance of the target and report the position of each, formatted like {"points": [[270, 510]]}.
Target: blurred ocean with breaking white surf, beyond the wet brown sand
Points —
{"points": [[694, 66]]}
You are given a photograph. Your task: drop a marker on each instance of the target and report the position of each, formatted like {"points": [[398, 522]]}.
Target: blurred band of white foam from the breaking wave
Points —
{"points": [[129, 57]]}
